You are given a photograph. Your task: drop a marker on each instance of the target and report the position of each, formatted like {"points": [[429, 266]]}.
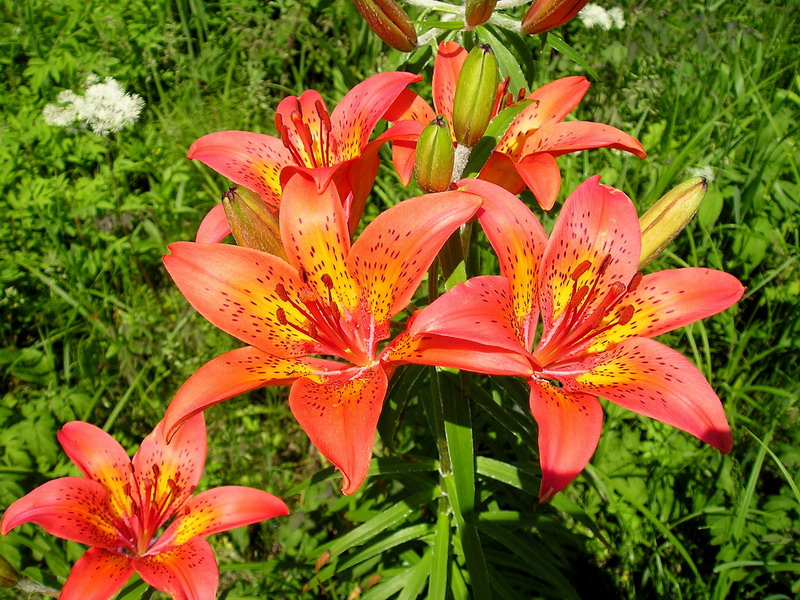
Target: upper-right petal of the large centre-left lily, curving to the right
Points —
{"points": [[391, 256]]}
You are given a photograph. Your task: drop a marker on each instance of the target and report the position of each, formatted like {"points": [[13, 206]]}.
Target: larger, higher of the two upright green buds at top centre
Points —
{"points": [[475, 95]]}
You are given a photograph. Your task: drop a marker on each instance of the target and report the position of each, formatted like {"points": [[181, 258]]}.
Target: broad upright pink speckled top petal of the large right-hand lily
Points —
{"points": [[595, 243]]}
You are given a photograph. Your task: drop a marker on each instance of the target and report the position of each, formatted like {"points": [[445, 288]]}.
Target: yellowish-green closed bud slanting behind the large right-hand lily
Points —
{"points": [[667, 218]]}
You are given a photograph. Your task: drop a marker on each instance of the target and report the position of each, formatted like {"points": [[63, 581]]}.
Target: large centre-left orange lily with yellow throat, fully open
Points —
{"points": [[327, 298]]}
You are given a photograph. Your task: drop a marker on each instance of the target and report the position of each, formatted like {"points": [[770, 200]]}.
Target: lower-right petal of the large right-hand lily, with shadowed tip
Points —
{"points": [[651, 379]]}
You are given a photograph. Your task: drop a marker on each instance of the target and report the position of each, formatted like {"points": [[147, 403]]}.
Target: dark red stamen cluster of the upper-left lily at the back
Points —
{"points": [[307, 135]]}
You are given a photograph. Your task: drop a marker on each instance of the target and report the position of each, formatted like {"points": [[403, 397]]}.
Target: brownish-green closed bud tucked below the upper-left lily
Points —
{"points": [[252, 223]]}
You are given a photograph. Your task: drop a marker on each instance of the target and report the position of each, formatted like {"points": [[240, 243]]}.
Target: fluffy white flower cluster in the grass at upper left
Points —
{"points": [[104, 107]]}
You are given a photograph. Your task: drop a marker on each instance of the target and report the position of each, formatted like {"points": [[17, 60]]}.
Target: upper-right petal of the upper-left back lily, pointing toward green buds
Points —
{"points": [[355, 117]]}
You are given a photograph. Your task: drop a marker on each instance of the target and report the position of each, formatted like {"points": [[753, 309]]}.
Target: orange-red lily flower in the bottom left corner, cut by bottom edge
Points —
{"points": [[120, 505]]}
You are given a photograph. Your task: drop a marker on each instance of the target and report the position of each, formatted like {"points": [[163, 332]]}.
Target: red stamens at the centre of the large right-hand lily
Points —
{"points": [[589, 312]]}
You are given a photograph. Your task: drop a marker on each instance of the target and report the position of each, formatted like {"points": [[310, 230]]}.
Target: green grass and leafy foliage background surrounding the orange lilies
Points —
{"points": [[93, 329]]}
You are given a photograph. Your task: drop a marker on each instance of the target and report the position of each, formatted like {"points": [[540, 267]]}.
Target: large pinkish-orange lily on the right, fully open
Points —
{"points": [[598, 314]]}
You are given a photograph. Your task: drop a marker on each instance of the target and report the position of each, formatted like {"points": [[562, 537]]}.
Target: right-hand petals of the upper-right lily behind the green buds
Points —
{"points": [[526, 154]]}
